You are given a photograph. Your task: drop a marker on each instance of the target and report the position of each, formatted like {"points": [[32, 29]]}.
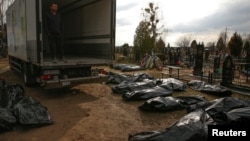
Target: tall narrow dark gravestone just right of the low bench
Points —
{"points": [[198, 60]]}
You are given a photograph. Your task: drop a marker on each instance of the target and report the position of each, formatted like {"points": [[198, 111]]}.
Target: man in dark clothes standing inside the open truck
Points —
{"points": [[54, 30]]}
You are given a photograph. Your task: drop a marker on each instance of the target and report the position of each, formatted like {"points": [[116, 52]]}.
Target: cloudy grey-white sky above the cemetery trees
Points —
{"points": [[202, 20]]}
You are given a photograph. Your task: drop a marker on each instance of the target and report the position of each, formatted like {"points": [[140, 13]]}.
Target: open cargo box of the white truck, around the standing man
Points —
{"points": [[89, 30]]}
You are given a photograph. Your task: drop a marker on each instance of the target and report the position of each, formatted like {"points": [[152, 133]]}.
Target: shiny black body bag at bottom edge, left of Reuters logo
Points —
{"points": [[191, 127]]}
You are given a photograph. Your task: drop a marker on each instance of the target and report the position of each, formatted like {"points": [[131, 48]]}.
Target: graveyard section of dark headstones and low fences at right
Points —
{"points": [[224, 70]]}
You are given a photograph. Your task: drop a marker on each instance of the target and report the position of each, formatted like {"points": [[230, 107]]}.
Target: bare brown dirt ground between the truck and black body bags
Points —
{"points": [[90, 112]]}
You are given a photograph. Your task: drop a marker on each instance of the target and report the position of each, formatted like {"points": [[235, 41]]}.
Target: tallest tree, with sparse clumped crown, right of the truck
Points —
{"points": [[148, 32]]}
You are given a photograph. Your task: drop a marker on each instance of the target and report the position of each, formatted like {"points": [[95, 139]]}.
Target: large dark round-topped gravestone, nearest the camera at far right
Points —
{"points": [[227, 71]]}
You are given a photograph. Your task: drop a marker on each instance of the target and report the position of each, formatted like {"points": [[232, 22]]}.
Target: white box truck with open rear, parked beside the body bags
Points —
{"points": [[89, 41]]}
